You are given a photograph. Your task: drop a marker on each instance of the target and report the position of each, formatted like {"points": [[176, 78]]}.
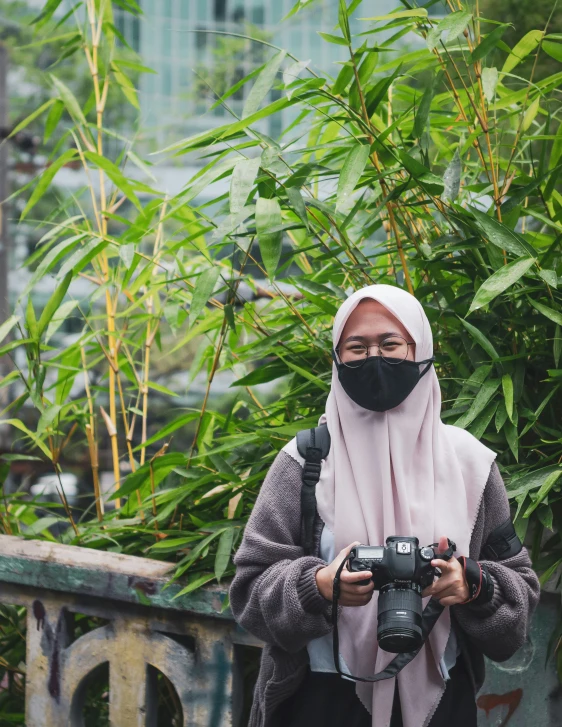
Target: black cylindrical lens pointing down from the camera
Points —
{"points": [[399, 618]]}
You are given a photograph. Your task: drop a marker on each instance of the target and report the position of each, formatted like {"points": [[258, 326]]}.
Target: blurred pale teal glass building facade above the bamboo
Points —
{"points": [[196, 49]]}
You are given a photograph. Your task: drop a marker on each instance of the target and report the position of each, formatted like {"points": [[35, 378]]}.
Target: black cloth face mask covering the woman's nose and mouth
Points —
{"points": [[378, 385]]}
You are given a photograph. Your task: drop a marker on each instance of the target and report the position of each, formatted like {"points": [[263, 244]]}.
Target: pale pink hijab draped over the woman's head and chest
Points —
{"points": [[400, 472]]}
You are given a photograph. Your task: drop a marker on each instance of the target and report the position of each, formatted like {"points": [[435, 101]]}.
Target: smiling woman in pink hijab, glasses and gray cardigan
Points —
{"points": [[393, 469]]}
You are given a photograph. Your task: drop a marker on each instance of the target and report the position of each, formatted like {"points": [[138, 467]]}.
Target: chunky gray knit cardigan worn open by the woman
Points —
{"points": [[275, 597]]}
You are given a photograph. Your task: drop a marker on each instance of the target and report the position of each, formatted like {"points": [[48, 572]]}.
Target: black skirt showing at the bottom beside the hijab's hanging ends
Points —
{"points": [[327, 700]]}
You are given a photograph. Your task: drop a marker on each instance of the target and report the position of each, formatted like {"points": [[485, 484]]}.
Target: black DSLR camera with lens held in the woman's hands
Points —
{"points": [[401, 570]]}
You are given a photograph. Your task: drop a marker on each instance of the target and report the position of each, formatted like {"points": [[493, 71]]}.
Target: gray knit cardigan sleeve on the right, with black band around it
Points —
{"points": [[499, 628]]}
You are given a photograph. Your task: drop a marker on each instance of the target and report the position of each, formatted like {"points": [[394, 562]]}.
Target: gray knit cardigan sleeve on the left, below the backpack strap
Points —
{"points": [[274, 593]]}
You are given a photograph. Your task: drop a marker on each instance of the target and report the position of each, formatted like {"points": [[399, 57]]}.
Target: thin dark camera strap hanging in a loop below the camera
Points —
{"points": [[430, 616]]}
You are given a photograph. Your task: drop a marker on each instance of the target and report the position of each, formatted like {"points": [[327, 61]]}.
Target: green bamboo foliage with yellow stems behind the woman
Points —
{"points": [[436, 169]]}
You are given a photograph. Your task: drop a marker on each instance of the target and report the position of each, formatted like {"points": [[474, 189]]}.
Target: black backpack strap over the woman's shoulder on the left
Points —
{"points": [[314, 446]]}
